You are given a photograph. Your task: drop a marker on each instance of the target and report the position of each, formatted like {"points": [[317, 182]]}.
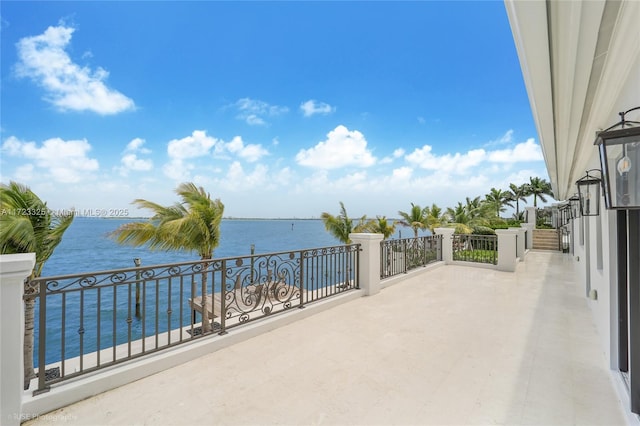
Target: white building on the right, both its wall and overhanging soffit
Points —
{"points": [[581, 66]]}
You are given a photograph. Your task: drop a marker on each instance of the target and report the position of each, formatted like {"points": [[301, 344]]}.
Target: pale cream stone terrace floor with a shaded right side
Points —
{"points": [[451, 345]]}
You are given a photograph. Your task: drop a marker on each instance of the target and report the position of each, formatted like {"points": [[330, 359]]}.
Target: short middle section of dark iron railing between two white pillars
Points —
{"points": [[400, 256]]}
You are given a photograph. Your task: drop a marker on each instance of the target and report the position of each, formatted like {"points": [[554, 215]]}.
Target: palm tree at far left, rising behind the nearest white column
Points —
{"points": [[28, 226]]}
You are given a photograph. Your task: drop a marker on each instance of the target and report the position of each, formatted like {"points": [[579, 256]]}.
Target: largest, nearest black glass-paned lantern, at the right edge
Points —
{"points": [[620, 161]]}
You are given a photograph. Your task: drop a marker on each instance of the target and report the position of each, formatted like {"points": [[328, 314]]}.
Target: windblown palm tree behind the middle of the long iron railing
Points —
{"points": [[191, 225]]}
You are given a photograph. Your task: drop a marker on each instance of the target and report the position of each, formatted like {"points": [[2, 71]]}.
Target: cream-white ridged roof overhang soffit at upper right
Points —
{"points": [[576, 59]]}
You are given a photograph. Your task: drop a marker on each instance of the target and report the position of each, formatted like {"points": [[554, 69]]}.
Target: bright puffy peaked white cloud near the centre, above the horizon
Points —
{"points": [[342, 148]]}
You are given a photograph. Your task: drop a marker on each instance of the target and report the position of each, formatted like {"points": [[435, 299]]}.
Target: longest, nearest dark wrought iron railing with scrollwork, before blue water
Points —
{"points": [[87, 322]]}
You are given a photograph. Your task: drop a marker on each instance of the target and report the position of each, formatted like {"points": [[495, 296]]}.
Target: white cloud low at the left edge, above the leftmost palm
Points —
{"points": [[63, 161]]}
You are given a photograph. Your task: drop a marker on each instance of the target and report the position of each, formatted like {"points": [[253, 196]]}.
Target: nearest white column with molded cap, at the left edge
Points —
{"points": [[14, 269]]}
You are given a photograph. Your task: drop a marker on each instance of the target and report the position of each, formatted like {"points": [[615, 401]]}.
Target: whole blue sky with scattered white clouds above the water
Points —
{"points": [[280, 109]]}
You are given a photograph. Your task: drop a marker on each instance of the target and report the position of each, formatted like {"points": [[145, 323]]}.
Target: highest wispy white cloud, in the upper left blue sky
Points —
{"points": [[68, 86]]}
